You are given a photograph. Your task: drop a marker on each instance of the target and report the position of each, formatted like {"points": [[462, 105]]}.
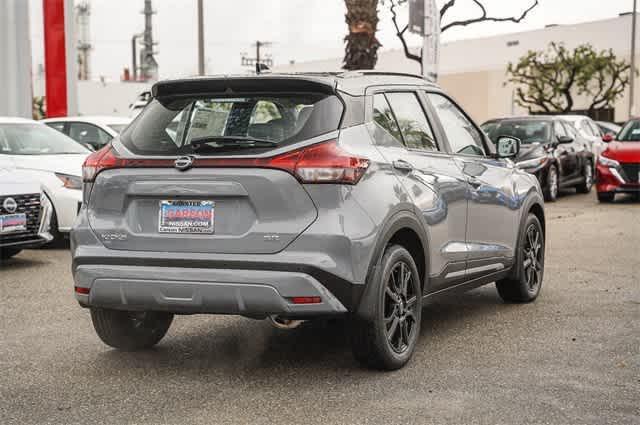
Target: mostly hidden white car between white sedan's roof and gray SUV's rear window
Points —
{"points": [[92, 131]]}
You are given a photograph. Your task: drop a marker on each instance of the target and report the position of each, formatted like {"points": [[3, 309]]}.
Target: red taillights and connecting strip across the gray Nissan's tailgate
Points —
{"points": [[324, 162]]}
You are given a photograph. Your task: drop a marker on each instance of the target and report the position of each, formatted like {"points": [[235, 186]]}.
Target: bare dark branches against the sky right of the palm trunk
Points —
{"points": [[484, 17]]}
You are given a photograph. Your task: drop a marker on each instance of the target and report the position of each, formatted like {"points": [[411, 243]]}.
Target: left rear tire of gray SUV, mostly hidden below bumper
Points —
{"points": [[130, 331]]}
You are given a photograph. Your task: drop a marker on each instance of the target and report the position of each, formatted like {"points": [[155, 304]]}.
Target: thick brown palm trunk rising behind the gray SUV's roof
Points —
{"points": [[361, 51]]}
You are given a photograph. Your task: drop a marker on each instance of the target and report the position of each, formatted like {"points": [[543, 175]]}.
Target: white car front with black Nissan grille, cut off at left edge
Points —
{"points": [[25, 213]]}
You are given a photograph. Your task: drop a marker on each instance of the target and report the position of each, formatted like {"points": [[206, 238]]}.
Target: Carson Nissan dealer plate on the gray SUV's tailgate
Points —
{"points": [[186, 217]]}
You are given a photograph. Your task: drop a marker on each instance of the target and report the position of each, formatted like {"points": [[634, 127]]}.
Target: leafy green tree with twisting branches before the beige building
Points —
{"points": [[548, 81]]}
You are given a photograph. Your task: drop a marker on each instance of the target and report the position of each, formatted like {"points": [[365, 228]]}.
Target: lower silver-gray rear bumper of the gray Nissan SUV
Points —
{"points": [[203, 290]]}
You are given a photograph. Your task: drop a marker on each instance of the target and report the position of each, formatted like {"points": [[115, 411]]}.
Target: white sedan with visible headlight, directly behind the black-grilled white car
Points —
{"points": [[52, 159]]}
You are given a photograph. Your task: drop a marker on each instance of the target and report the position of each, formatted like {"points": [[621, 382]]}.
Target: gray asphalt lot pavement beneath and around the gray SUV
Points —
{"points": [[572, 357]]}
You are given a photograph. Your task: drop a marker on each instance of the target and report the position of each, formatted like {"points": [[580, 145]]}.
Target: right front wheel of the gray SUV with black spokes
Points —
{"points": [[525, 285]]}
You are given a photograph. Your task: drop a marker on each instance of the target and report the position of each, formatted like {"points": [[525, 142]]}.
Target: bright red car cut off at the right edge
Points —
{"points": [[618, 169]]}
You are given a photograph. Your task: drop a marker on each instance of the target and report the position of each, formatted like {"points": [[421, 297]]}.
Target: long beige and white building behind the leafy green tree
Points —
{"points": [[474, 71]]}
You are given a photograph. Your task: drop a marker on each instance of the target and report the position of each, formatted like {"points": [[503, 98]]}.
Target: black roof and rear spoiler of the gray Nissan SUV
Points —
{"points": [[351, 82]]}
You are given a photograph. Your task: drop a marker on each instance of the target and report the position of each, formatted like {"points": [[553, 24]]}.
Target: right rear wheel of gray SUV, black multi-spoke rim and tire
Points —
{"points": [[388, 341]]}
